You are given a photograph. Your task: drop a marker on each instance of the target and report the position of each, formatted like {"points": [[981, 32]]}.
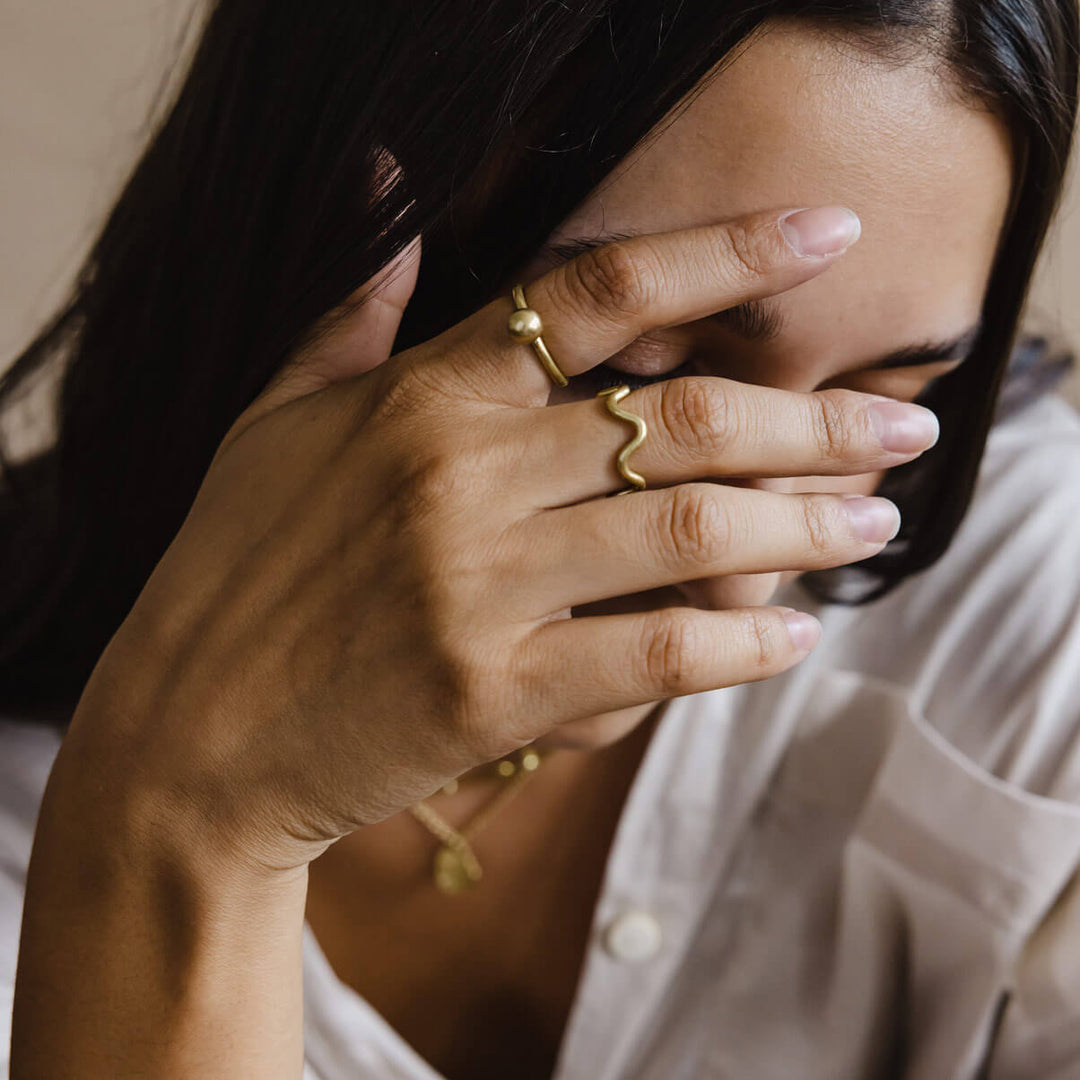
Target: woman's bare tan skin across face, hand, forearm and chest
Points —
{"points": [[229, 742]]}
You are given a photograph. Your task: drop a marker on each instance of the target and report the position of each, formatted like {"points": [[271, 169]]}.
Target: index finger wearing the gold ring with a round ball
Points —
{"points": [[601, 302]]}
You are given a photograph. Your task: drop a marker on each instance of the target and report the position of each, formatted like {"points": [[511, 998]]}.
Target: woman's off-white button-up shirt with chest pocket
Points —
{"points": [[866, 868]]}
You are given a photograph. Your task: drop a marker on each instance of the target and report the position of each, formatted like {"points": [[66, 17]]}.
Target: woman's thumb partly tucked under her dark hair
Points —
{"points": [[353, 340]]}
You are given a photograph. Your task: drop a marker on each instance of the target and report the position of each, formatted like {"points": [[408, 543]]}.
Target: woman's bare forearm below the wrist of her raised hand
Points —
{"points": [[146, 954]]}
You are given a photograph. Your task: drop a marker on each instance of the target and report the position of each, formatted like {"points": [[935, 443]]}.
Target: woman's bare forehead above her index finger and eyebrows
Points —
{"points": [[806, 118]]}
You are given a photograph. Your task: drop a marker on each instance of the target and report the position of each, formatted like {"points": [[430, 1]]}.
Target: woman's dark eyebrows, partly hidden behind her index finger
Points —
{"points": [[762, 321]]}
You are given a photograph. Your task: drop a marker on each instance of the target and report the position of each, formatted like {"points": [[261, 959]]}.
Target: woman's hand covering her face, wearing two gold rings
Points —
{"points": [[372, 591]]}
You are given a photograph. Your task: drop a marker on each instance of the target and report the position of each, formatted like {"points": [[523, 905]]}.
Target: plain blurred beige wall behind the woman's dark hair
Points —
{"points": [[77, 84]]}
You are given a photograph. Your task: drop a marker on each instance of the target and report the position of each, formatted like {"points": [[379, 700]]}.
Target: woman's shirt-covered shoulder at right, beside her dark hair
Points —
{"points": [[987, 642]]}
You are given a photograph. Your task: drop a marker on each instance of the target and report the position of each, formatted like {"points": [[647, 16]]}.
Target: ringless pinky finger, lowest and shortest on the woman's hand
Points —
{"points": [[585, 667]]}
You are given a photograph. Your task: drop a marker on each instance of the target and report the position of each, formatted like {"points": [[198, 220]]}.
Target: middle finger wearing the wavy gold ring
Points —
{"points": [[705, 427]]}
